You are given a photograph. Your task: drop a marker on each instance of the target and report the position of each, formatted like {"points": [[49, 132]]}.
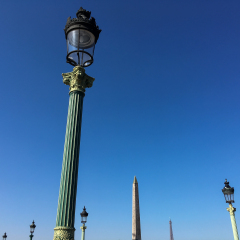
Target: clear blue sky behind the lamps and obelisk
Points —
{"points": [[165, 107]]}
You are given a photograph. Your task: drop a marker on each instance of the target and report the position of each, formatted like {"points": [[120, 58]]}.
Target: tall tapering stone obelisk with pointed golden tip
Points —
{"points": [[136, 228]]}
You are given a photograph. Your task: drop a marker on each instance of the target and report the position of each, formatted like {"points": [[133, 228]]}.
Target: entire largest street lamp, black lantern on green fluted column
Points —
{"points": [[81, 34]]}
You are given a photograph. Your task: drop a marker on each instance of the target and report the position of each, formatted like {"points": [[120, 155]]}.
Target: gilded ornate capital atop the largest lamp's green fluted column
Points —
{"points": [[77, 80]]}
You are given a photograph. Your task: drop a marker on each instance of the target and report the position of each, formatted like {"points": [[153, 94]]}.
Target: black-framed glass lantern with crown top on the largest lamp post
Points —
{"points": [[81, 34]]}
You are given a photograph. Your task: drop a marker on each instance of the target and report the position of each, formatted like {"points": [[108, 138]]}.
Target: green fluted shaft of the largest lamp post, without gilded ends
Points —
{"points": [[69, 176]]}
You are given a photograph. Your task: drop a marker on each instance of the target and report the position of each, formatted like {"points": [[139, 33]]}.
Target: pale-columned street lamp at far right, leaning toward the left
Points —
{"points": [[229, 197]]}
